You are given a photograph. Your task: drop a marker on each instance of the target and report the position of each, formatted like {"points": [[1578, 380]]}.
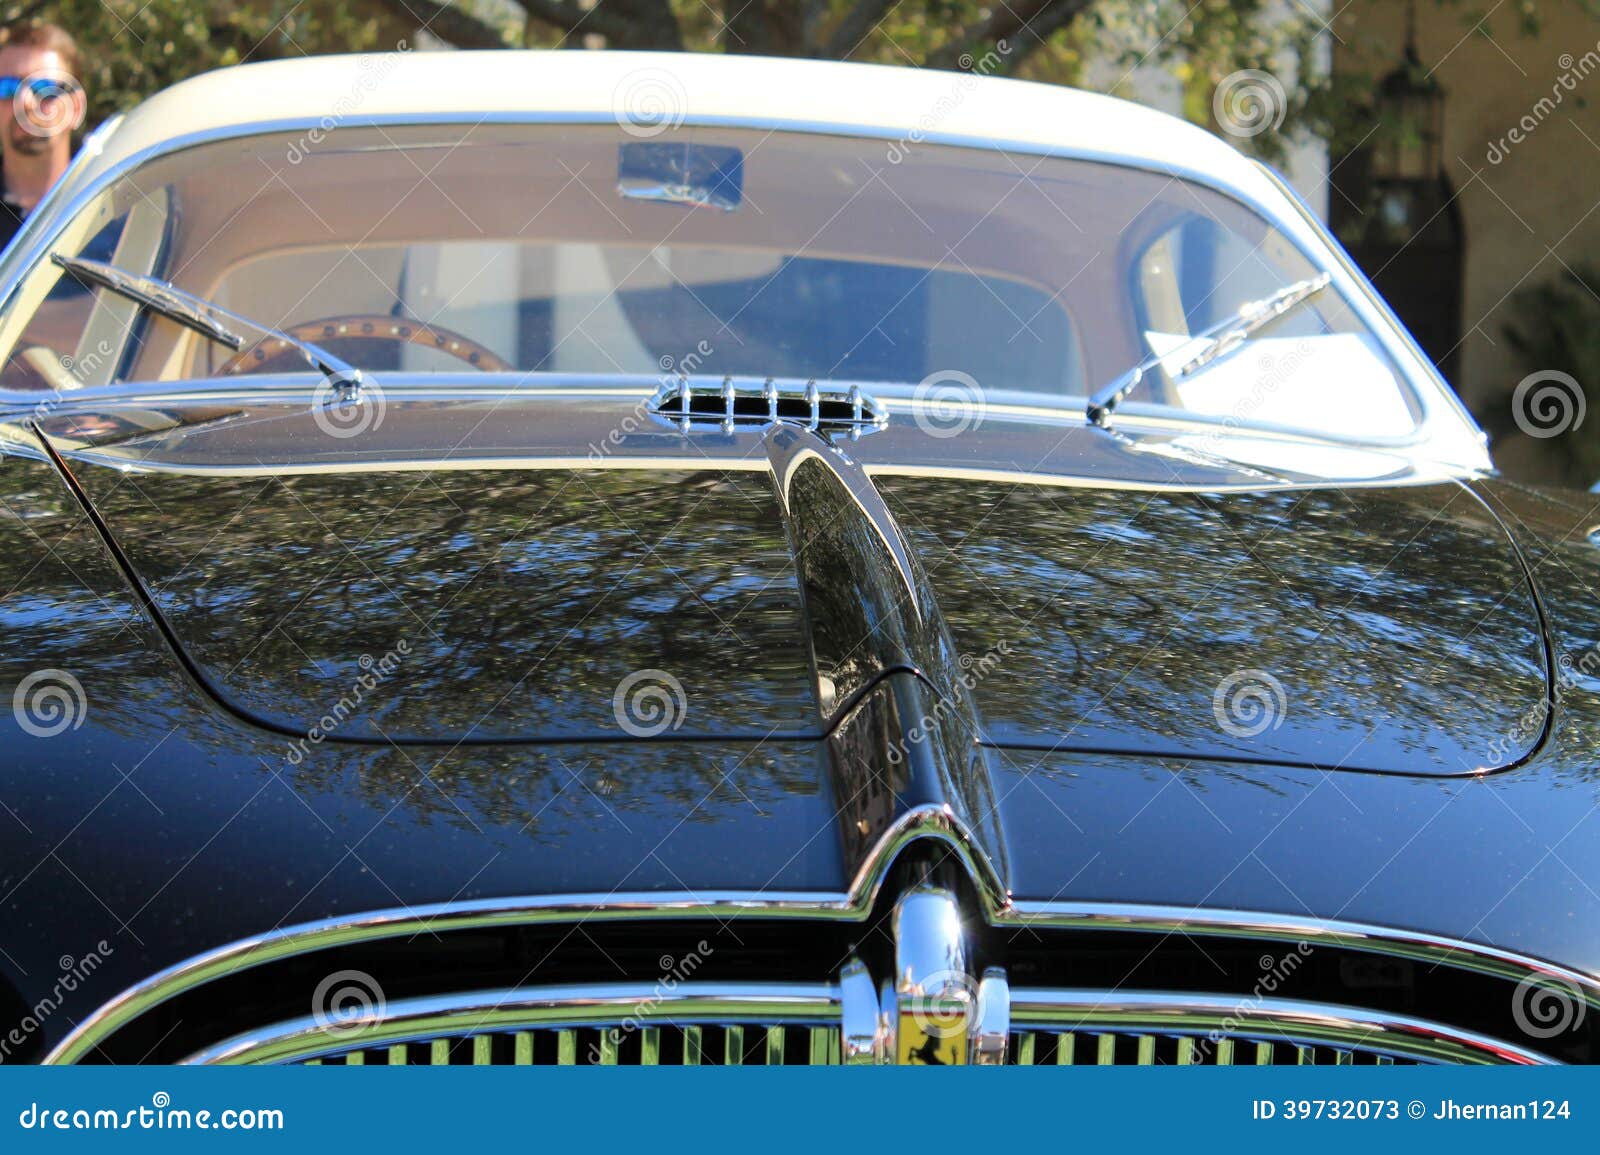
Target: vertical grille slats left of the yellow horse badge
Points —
{"points": [[734, 1045]]}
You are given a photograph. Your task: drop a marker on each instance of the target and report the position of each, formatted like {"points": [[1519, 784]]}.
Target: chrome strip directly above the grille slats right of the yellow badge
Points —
{"points": [[1279, 1020]]}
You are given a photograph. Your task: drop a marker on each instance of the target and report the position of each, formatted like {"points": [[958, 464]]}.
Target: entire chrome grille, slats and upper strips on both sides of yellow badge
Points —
{"points": [[770, 1025]]}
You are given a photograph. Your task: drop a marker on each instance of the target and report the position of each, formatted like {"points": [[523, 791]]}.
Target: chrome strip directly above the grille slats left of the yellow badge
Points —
{"points": [[585, 1005]]}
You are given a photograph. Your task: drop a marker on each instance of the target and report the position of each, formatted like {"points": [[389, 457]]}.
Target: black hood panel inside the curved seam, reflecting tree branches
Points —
{"points": [[710, 594]]}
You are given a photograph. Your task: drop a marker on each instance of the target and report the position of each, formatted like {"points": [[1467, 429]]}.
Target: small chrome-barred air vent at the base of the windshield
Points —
{"points": [[700, 404]]}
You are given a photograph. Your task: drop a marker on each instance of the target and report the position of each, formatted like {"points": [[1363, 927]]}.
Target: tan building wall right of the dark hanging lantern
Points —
{"points": [[1530, 206]]}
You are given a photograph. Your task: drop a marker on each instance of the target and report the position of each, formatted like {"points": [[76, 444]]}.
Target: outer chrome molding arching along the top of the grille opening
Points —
{"points": [[1433, 949]]}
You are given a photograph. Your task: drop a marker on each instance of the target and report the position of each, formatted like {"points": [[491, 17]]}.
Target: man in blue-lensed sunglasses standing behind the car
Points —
{"points": [[41, 105]]}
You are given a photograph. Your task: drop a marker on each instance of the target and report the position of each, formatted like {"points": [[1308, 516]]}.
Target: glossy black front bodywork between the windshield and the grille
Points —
{"points": [[167, 825]]}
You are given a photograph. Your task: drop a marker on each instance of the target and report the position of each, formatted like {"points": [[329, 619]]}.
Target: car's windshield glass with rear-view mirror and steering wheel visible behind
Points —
{"points": [[583, 250]]}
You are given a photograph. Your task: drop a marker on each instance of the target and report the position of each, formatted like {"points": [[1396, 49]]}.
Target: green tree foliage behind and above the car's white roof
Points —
{"points": [[135, 49]]}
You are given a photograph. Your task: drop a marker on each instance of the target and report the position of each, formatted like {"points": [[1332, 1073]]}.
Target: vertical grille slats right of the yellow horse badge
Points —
{"points": [[1079, 1049]]}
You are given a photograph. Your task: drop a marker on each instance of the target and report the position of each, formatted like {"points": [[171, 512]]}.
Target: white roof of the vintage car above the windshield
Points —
{"points": [[895, 103]]}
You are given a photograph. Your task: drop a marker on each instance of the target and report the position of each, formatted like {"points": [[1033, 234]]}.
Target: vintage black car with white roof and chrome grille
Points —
{"points": [[622, 559]]}
